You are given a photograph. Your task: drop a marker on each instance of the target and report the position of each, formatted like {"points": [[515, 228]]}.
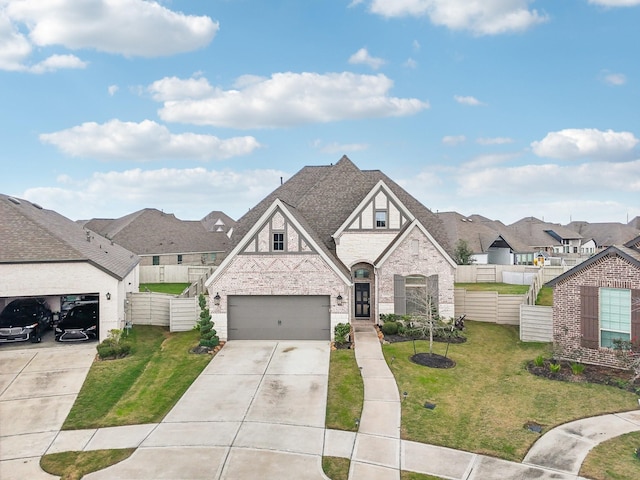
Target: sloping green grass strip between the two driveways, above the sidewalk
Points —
{"points": [[142, 387]]}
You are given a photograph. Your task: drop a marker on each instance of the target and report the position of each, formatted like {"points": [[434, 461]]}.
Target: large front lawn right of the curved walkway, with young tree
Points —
{"points": [[483, 403]]}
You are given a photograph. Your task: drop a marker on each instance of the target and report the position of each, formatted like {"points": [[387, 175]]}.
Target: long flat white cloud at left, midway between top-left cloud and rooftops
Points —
{"points": [[147, 140]]}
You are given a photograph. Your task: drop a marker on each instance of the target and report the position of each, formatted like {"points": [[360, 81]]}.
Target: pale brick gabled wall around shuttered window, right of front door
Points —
{"points": [[411, 258]]}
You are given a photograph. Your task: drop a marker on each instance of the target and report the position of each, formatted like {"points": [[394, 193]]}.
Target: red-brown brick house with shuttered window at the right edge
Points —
{"points": [[596, 302]]}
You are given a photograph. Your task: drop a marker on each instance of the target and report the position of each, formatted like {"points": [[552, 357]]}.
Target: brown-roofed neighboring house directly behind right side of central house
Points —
{"points": [[488, 243]]}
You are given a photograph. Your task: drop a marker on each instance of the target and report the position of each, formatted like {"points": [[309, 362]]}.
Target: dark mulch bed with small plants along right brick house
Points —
{"points": [[591, 374]]}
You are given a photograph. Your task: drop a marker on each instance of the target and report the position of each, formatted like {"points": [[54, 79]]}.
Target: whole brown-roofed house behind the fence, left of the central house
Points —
{"points": [[162, 239]]}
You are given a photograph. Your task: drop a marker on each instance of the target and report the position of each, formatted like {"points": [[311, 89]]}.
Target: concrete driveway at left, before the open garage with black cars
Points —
{"points": [[38, 385]]}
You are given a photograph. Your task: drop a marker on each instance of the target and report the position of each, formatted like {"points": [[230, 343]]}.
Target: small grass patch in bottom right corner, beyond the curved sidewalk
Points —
{"points": [[614, 459]]}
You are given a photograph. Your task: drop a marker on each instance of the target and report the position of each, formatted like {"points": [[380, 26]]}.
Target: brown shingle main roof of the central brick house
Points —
{"points": [[325, 196]]}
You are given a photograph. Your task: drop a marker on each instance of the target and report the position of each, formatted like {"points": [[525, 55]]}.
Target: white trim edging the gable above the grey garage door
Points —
{"points": [[257, 226]]}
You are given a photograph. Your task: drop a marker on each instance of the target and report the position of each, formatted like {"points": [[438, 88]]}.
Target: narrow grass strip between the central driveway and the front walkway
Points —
{"points": [[346, 391]]}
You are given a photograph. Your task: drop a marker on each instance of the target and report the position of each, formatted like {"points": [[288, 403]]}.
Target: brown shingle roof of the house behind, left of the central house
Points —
{"points": [[152, 232]]}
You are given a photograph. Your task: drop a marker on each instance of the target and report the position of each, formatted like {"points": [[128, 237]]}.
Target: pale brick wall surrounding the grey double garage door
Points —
{"points": [[278, 274]]}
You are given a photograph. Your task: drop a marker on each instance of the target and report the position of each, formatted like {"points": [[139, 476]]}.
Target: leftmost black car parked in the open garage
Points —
{"points": [[25, 319]]}
